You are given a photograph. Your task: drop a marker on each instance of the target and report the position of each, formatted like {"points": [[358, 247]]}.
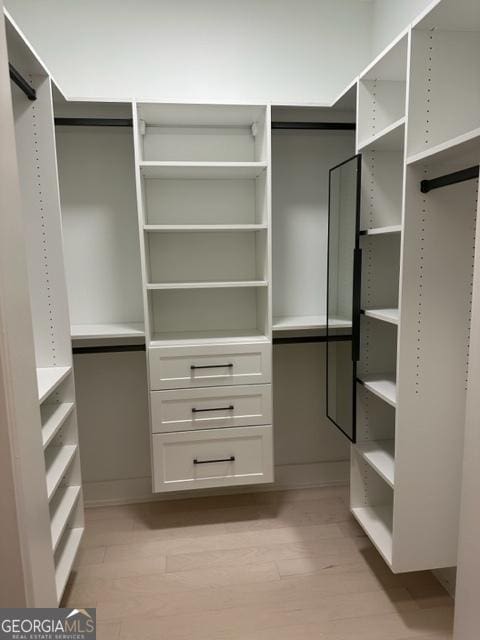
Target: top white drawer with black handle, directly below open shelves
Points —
{"points": [[210, 365]]}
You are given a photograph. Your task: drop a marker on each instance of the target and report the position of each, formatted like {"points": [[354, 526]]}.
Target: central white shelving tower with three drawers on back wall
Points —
{"points": [[203, 191]]}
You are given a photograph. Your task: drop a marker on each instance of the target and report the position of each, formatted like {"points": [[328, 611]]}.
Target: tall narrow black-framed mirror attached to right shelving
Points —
{"points": [[343, 294]]}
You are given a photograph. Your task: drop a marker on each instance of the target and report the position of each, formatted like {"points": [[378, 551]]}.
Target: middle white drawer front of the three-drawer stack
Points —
{"points": [[211, 408]]}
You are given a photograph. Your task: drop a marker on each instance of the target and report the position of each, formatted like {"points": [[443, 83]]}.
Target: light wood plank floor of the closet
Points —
{"points": [[266, 566]]}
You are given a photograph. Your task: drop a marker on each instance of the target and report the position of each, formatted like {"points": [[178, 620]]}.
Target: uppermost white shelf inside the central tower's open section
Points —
{"points": [[199, 170]]}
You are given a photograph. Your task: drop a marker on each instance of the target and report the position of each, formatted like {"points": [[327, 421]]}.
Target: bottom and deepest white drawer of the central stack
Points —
{"points": [[212, 458]]}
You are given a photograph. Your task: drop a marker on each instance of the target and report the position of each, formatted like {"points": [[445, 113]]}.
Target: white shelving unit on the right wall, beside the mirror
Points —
{"points": [[424, 94]]}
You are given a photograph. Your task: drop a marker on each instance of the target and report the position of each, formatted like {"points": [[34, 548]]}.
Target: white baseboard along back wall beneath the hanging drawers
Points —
{"points": [[289, 476]]}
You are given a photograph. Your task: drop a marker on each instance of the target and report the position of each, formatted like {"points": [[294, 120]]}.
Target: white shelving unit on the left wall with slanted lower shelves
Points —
{"points": [[34, 130]]}
